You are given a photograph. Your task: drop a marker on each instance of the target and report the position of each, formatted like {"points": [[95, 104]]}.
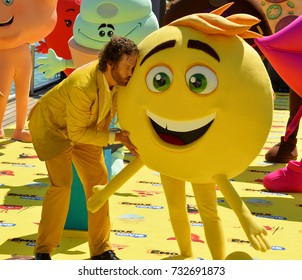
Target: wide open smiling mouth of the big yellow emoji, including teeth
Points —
{"points": [[180, 132]]}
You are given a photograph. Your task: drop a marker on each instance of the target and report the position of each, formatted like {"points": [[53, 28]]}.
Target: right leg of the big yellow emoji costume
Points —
{"points": [[206, 199]]}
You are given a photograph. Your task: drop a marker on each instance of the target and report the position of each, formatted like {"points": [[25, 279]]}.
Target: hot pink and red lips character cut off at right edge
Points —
{"points": [[284, 51]]}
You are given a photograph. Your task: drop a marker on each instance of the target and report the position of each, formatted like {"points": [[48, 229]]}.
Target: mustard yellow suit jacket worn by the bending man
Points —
{"points": [[77, 110]]}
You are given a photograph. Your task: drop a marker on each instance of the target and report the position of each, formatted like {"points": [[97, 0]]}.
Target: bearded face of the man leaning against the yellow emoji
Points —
{"points": [[122, 71]]}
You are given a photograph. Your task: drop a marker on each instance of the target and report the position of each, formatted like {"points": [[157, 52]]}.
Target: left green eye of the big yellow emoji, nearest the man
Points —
{"points": [[159, 79]]}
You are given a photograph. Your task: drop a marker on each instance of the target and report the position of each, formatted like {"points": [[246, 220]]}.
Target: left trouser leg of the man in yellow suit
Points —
{"points": [[55, 204]]}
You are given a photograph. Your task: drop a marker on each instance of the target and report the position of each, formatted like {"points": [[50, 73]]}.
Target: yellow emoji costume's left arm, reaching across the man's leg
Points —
{"points": [[102, 193]]}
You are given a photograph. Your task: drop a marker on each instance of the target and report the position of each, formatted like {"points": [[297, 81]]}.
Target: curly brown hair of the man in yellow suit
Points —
{"points": [[114, 50]]}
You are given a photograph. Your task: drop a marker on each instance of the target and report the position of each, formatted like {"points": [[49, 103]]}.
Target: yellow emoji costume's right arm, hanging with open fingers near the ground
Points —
{"points": [[254, 232]]}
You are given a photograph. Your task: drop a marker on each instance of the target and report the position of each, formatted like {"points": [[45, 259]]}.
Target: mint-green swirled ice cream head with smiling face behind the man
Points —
{"points": [[99, 20]]}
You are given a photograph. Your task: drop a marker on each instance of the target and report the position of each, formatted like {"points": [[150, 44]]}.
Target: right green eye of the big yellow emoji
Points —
{"points": [[201, 80]]}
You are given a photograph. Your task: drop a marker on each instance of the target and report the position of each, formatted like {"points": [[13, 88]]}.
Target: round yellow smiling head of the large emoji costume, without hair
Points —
{"points": [[197, 105]]}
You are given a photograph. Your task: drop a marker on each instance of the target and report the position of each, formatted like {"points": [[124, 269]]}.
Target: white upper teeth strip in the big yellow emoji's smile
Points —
{"points": [[181, 126]]}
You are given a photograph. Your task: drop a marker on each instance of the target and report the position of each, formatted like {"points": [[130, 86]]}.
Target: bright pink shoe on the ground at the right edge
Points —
{"points": [[286, 179]]}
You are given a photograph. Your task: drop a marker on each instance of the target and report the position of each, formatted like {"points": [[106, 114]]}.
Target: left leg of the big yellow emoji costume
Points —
{"points": [[176, 199]]}
